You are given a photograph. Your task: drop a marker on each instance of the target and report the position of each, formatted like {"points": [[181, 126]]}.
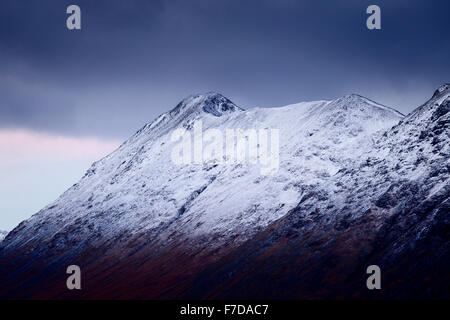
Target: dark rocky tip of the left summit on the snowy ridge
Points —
{"points": [[212, 102]]}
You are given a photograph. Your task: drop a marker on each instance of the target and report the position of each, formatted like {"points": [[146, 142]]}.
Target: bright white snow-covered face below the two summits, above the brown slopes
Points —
{"points": [[138, 190]]}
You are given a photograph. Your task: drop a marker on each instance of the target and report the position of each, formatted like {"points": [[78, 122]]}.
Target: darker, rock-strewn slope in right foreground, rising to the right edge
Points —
{"points": [[391, 210]]}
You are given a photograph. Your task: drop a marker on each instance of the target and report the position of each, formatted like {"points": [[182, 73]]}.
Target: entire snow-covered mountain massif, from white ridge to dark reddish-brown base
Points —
{"points": [[350, 171]]}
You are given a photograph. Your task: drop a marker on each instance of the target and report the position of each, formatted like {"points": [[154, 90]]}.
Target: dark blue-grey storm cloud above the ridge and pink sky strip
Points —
{"points": [[135, 59]]}
